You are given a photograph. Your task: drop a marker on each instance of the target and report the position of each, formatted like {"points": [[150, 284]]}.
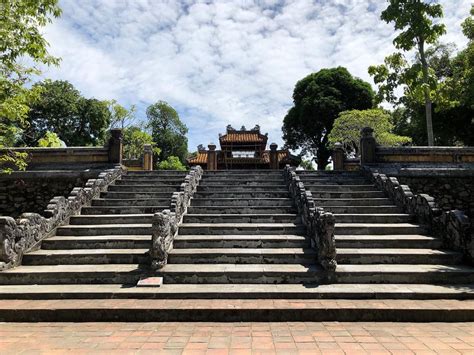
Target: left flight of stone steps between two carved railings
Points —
{"points": [[108, 242]]}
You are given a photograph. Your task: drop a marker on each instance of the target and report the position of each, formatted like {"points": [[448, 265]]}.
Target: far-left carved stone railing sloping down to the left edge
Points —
{"points": [[25, 233]]}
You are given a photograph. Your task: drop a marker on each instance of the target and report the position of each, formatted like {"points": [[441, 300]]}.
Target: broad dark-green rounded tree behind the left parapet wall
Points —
{"points": [[61, 108]]}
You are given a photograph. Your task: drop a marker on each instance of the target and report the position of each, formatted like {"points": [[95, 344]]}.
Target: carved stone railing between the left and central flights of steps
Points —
{"points": [[165, 223]]}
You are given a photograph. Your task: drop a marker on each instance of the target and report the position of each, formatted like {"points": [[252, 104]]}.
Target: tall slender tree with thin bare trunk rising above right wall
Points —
{"points": [[414, 20]]}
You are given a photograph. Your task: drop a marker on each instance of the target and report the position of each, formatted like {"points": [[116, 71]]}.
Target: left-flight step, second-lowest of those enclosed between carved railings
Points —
{"points": [[97, 242]]}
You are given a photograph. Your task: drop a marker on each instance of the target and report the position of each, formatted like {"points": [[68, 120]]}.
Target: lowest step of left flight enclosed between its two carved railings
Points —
{"points": [[86, 257]]}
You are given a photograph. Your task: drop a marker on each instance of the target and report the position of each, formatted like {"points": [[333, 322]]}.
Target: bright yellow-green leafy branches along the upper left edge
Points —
{"points": [[20, 38]]}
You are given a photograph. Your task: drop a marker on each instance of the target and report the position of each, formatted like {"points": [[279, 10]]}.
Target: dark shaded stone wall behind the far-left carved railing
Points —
{"points": [[31, 191]]}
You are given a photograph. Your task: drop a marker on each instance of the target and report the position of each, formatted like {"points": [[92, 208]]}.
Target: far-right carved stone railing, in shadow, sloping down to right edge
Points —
{"points": [[453, 227]]}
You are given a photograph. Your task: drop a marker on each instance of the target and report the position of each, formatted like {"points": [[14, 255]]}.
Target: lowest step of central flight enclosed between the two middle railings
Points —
{"points": [[242, 256]]}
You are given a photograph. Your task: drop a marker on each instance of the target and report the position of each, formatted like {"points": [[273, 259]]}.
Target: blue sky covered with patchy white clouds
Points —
{"points": [[219, 62]]}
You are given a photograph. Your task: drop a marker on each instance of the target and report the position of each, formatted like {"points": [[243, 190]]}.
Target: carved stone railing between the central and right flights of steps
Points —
{"points": [[319, 224]]}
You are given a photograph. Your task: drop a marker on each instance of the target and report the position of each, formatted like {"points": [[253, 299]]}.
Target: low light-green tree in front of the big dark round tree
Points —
{"points": [[348, 125]]}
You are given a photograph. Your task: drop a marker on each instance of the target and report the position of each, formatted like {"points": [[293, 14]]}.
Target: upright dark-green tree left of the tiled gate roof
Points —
{"points": [[167, 130]]}
